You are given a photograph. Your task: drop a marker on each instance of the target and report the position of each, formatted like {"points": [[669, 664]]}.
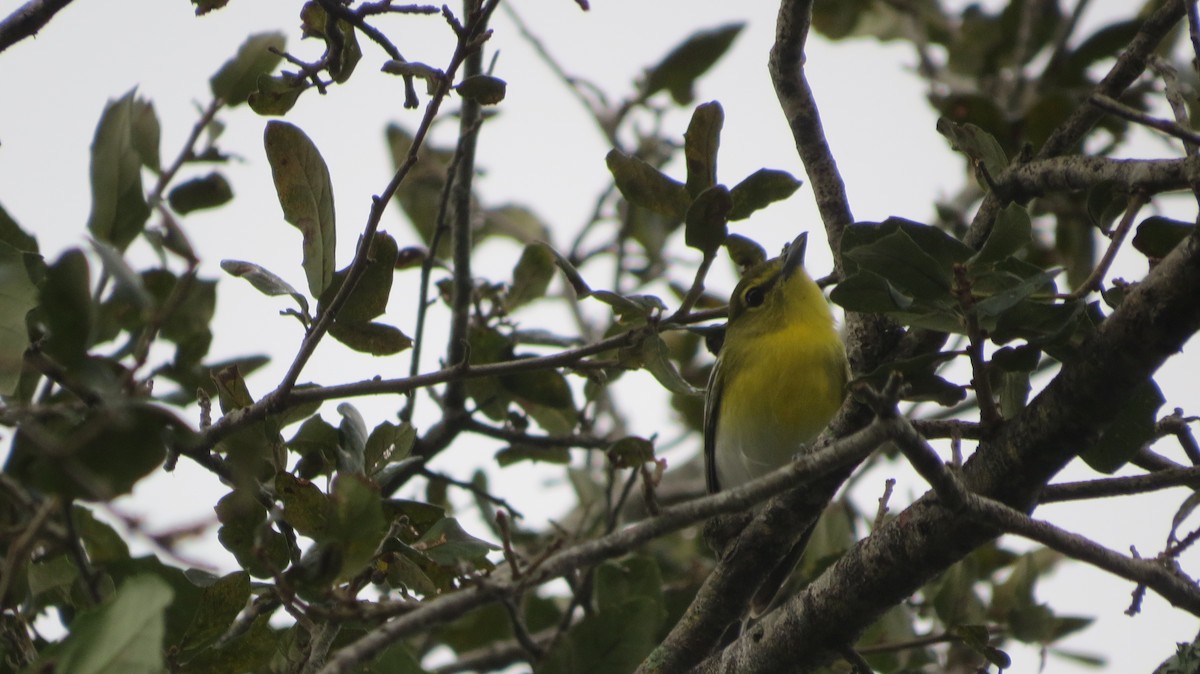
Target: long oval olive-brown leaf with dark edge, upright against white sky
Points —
{"points": [[307, 195]]}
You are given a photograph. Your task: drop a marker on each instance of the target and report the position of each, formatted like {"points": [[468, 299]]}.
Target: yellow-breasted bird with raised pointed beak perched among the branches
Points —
{"points": [[781, 377]]}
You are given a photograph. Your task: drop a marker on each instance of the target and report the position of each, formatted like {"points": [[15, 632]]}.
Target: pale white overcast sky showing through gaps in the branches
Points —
{"points": [[542, 152]]}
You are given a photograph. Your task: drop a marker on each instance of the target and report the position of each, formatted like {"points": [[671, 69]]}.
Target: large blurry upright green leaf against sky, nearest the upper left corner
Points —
{"points": [[119, 209]]}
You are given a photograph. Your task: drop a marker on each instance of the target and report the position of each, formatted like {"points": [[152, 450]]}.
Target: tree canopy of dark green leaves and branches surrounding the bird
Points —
{"points": [[992, 345]]}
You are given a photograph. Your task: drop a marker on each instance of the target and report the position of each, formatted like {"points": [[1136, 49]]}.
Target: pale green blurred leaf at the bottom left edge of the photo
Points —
{"points": [[123, 636]]}
